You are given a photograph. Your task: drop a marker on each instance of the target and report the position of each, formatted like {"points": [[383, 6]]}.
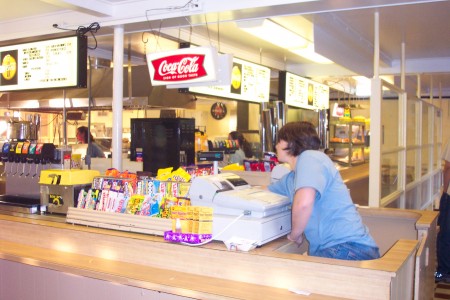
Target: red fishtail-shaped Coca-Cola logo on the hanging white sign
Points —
{"points": [[179, 67]]}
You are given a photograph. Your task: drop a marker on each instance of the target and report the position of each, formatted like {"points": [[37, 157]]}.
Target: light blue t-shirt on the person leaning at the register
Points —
{"points": [[334, 219]]}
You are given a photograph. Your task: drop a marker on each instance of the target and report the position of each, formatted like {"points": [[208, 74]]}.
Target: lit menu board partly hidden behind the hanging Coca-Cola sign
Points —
{"points": [[249, 82]]}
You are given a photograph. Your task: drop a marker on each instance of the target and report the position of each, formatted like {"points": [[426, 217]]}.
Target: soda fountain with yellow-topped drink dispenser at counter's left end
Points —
{"points": [[25, 159]]}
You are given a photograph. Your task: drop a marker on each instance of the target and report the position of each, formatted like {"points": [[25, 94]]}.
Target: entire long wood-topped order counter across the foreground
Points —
{"points": [[50, 259]]}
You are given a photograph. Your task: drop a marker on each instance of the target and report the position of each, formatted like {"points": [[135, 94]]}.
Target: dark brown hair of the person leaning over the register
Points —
{"points": [[300, 136]]}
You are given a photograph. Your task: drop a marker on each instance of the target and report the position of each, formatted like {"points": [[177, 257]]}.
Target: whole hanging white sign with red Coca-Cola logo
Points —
{"points": [[183, 66]]}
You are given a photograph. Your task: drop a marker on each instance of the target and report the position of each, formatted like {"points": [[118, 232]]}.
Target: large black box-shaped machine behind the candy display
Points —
{"points": [[162, 142]]}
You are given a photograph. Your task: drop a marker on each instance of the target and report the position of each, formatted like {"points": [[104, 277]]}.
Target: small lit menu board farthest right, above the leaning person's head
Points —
{"points": [[301, 92]]}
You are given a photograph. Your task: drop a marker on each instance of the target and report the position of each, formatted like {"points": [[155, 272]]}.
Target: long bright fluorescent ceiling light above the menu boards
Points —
{"points": [[278, 35]]}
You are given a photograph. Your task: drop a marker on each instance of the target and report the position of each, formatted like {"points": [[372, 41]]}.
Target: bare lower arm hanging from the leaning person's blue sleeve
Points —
{"points": [[302, 208]]}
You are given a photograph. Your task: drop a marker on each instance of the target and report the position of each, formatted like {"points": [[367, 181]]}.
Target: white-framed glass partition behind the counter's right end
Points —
{"points": [[405, 158]]}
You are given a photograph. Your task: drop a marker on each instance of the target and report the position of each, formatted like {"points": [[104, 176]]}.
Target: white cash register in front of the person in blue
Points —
{"points": [[267, 215]]}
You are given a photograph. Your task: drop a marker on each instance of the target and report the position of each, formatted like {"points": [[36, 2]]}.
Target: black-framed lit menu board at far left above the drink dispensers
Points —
{"points": [[52, 63]]}
